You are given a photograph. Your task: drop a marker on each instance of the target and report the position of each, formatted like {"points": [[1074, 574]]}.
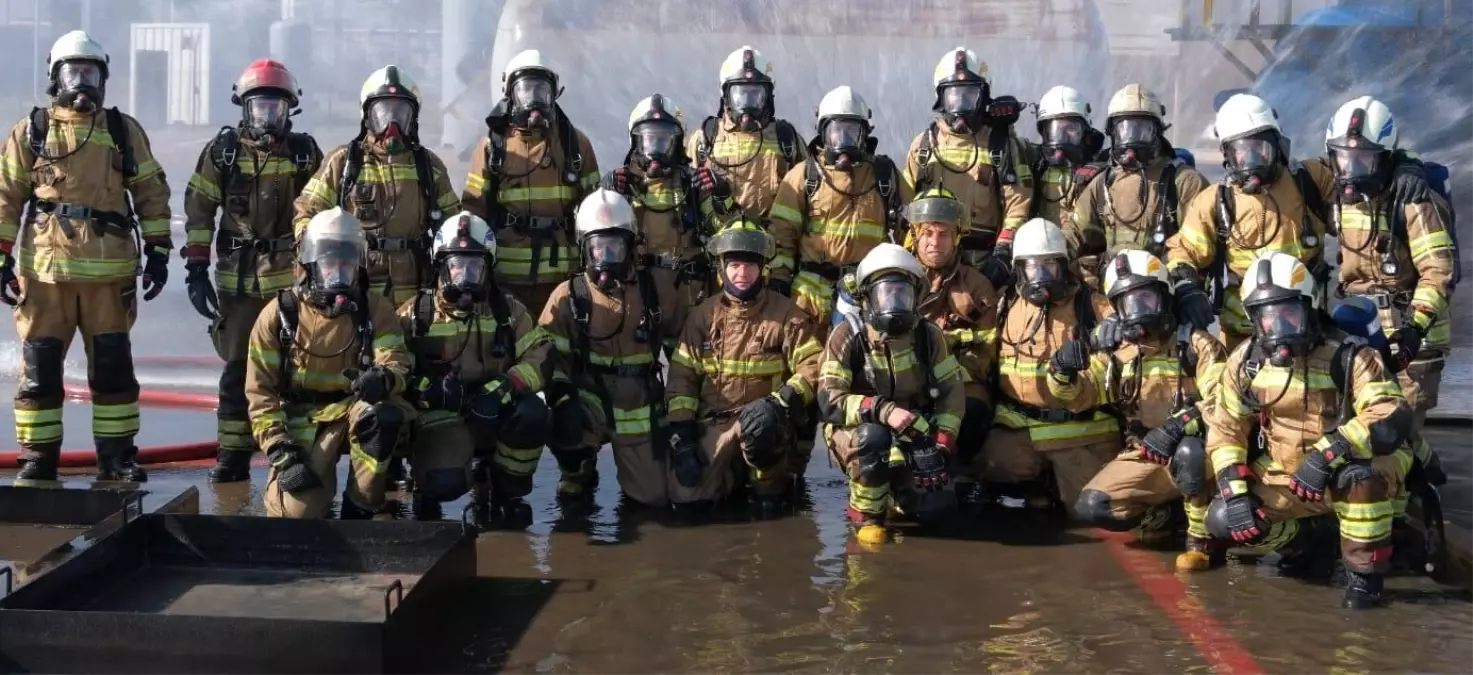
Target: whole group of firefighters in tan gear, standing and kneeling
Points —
{"points": [[995, 319]]}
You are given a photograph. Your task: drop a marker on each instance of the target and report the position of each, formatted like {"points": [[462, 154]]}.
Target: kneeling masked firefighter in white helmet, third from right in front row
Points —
{"points": [[1050, 387]]}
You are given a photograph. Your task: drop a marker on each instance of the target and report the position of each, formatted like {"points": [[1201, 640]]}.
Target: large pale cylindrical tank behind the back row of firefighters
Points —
{"points": [[612, 54]]}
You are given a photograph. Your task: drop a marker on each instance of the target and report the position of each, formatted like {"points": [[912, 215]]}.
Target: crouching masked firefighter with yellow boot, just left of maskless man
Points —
{"points": [[892, 399]]}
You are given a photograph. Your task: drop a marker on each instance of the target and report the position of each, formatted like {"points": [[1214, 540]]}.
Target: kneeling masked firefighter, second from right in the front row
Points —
{"points": [[1161, 378]]}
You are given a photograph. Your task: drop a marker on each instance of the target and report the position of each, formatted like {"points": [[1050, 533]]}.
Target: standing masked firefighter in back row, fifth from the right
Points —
{"points": [[970, 150]]}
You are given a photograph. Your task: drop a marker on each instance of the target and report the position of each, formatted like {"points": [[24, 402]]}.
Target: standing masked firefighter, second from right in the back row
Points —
{"points": [[1268, 204]]}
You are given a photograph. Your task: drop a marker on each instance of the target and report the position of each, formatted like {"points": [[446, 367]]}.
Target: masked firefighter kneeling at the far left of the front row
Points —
{"points": [[325, 374]]}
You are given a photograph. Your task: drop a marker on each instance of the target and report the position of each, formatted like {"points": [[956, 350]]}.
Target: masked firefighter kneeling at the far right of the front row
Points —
{"points": [[1331, 422]]}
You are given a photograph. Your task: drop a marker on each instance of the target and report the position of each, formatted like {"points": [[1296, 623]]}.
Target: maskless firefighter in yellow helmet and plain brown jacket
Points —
{"points": [[964, 304]]}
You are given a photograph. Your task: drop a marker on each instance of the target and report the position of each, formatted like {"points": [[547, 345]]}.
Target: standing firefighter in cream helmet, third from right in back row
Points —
{"points": [[1141, 200]]}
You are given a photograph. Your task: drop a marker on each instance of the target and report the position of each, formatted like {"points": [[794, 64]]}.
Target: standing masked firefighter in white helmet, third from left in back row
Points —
{"points": [[397, 188]]}
